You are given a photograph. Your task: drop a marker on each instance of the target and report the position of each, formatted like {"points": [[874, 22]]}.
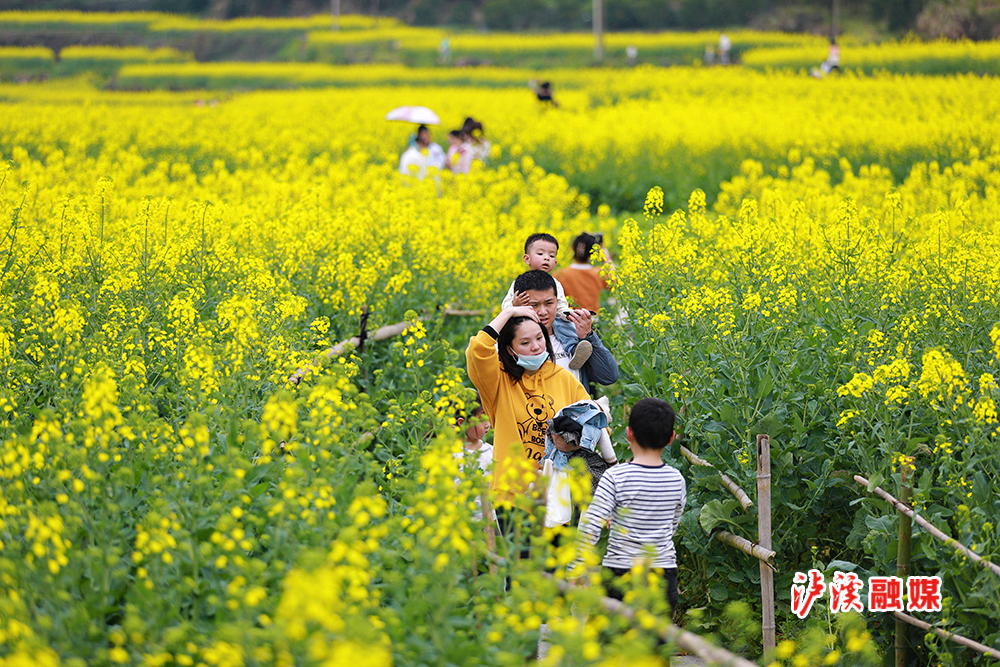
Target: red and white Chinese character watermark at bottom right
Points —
{"points": [[884, 593]]}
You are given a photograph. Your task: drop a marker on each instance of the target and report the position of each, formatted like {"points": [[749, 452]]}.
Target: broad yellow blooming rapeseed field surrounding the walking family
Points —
{"points": [[814, 260]]}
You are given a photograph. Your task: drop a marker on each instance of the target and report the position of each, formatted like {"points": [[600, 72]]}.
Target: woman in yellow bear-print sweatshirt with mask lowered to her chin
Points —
{"points": [[512, 365]]}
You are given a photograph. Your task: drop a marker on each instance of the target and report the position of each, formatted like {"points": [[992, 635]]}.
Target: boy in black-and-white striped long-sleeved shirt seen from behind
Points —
{"points": [[643, 498]]}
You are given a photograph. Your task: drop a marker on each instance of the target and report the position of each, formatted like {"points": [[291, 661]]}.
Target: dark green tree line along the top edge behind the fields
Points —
{"points": [[974, 19]]}
